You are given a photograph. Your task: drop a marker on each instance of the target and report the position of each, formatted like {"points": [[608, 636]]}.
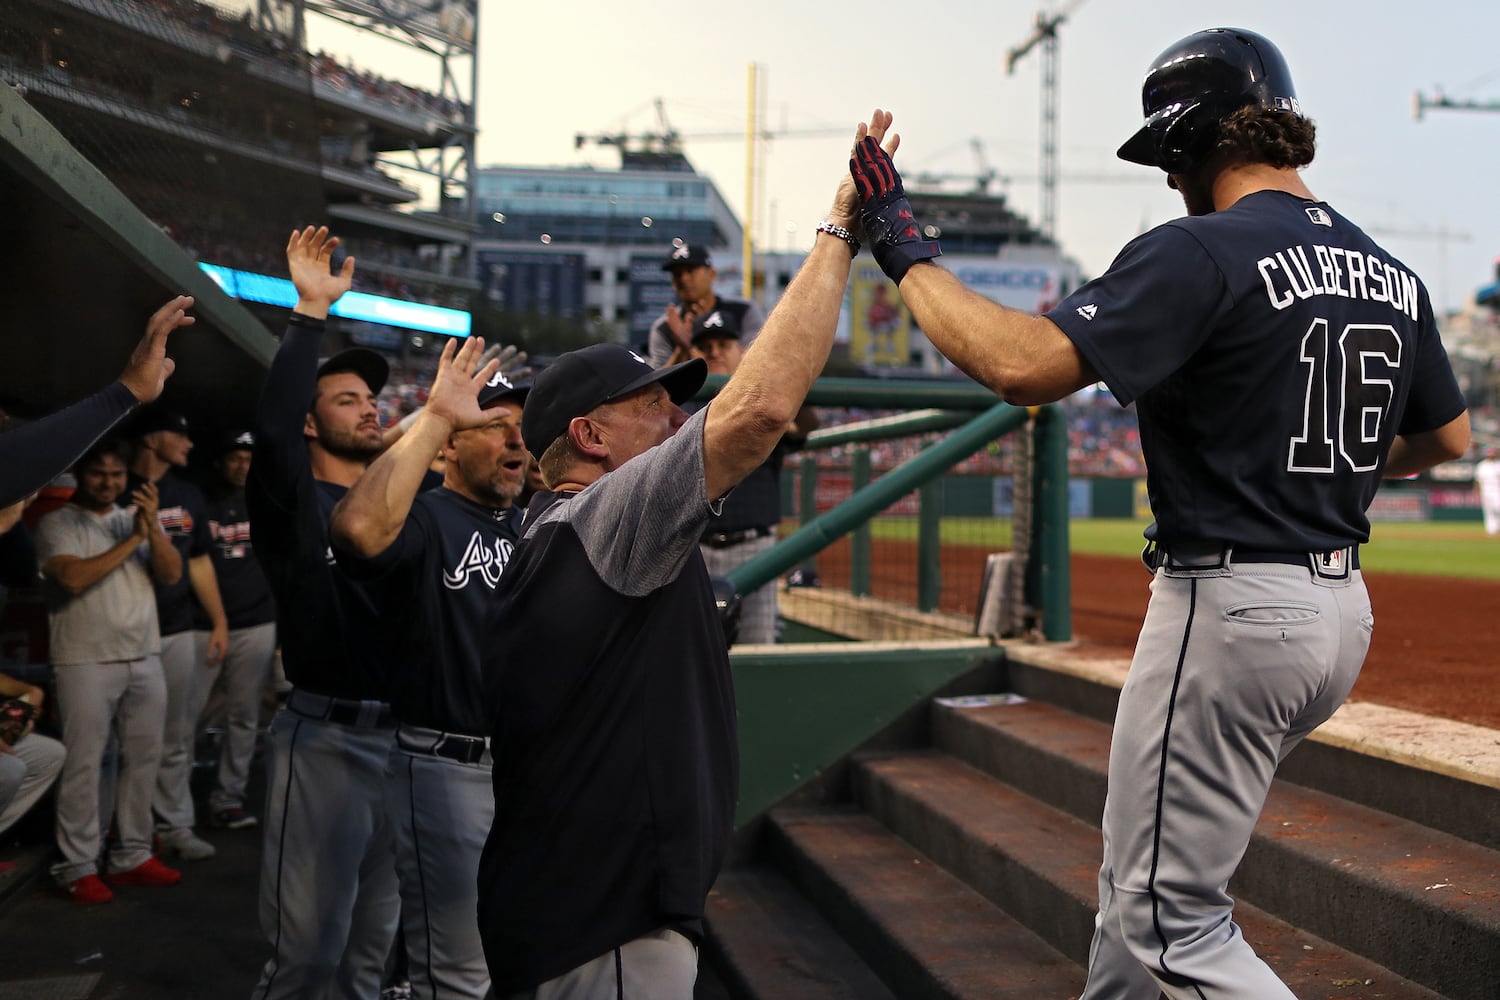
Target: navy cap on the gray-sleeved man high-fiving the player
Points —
{"points": [[590, 377]]}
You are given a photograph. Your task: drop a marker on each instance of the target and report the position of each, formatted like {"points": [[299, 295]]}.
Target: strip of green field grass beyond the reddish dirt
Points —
{"points": [[1456, 549]]}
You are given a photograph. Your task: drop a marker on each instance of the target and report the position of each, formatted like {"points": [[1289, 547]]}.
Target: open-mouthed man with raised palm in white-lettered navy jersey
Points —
{"points": [[434, 558]]}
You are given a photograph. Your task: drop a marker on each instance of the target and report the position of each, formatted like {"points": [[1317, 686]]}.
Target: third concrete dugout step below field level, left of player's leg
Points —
{"points": [[920, 929]]}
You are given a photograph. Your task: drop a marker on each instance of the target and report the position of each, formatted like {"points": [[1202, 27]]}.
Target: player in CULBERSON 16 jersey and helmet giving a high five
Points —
{"points": [[1282, 364]]}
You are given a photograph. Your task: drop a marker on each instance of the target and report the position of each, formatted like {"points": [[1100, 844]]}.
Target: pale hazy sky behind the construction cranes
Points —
{"points": [[1429, 191]]}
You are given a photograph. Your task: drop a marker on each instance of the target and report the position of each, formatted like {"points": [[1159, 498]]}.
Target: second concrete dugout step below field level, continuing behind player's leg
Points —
{"points": [[1040, 866]]}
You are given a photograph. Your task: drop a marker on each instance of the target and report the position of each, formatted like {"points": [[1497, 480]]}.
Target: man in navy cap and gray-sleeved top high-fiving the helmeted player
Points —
{"points": [[617, 765]]}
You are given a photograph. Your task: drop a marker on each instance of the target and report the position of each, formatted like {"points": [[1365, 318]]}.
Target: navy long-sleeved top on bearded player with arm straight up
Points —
{"points": [[328, 624]]}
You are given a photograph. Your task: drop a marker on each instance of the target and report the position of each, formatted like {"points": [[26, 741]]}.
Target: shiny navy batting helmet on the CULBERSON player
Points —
{"points": [[1196, 85]]}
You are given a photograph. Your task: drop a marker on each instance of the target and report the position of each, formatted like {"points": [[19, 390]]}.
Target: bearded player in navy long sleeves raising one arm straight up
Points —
{"points": [[329, 897]]}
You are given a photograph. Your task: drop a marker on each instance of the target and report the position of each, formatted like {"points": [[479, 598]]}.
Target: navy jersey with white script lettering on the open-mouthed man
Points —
{"points": [[434, 585]]}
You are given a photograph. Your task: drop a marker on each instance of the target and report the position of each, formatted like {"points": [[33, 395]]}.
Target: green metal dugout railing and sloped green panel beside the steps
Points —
{"points": [[805, 707]]}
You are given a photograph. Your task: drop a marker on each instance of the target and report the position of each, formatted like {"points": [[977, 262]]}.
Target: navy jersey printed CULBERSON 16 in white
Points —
{"points": [[1274, 353]]}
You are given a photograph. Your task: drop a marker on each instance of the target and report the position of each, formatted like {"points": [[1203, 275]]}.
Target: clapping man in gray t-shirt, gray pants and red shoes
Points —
{"points": [[98, 563]]}
